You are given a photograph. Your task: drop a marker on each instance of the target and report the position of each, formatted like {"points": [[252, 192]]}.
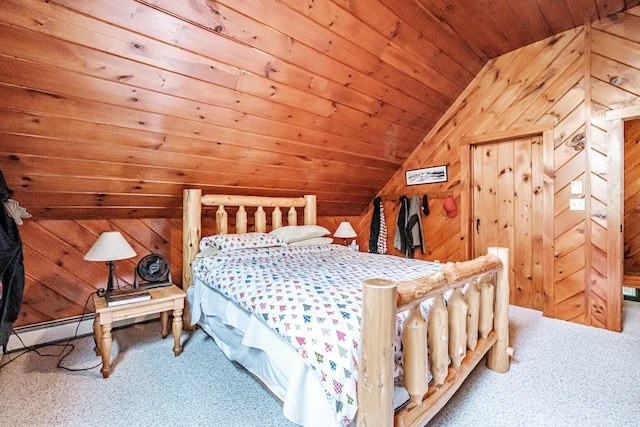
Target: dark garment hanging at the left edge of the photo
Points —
{"points": [[11, 268]]}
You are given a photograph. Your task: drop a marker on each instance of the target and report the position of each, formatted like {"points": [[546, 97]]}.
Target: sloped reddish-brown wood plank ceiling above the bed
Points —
{"points": [[110, 109]]}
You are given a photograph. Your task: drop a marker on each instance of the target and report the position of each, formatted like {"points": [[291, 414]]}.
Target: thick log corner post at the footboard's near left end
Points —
{"points": [[375, 378]]}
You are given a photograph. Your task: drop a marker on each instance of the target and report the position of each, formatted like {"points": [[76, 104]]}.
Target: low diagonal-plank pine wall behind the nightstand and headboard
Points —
{"points": [[59, 282]]}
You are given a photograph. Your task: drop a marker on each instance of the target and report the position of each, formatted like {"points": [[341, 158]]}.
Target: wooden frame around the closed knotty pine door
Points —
{"points": [[466, 161]]}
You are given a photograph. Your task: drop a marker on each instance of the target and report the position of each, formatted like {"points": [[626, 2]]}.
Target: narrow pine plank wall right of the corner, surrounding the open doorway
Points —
{"points": [[614, 72]]}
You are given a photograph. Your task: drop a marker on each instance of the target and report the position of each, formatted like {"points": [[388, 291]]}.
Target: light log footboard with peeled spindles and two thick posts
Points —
{"points": [[470, 328]]}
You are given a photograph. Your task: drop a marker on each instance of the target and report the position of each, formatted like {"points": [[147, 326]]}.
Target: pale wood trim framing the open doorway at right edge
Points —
{"points": [[615, 210]]}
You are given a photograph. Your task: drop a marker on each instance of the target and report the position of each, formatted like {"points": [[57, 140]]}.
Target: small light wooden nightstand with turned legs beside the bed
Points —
{"points": [[163, 300]]}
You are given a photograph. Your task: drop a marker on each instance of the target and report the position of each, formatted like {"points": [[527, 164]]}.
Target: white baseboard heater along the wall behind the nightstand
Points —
{"points": [[61, 330]]}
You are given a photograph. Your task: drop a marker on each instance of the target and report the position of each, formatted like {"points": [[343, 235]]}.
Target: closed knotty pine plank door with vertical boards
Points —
{"points": [[507, 211]]}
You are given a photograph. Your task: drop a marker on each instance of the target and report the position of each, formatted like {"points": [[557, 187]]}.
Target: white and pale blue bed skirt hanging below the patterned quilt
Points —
{"points": [[245, 339]]}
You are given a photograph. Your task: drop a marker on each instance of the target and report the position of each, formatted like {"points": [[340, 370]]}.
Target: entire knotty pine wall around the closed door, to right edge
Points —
{"points": [[565, 83]]}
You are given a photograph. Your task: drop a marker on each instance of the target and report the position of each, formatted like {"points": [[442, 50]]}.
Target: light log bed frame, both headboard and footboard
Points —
{"points": [[487, 310]]}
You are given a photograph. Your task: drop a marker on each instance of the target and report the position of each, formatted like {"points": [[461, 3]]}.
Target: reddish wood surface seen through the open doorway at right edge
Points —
{"points": [[632, 203]]}
